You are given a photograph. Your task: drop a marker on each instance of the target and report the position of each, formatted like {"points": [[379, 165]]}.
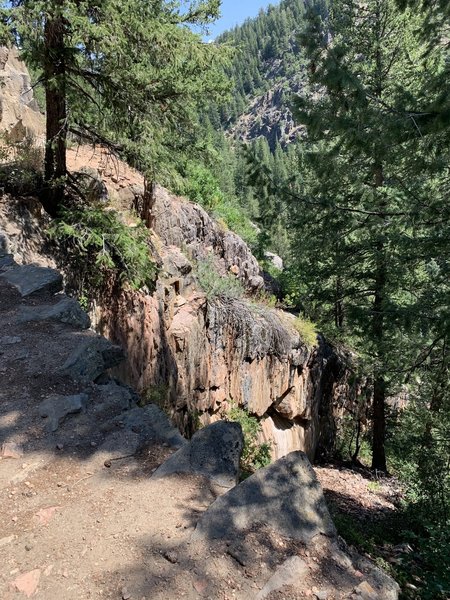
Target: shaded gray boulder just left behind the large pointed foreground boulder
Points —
{"points": [[213, 452]]}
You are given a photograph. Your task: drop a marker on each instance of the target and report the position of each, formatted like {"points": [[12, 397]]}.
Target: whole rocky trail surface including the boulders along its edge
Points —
{"points": [[103, 498]]}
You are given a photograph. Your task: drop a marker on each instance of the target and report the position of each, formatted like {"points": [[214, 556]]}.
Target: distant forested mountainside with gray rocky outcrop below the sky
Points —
{"points": [[267, 69]]}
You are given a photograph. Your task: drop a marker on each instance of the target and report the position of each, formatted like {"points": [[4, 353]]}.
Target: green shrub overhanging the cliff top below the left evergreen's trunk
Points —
{"points": [[96, 246]]}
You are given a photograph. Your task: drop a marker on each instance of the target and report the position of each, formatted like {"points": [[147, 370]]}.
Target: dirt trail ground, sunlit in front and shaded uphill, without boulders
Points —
{"points": [[71, 527]]}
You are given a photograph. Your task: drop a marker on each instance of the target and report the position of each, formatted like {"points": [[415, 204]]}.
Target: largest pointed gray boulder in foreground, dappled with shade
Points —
{"points": [[285, 495]]}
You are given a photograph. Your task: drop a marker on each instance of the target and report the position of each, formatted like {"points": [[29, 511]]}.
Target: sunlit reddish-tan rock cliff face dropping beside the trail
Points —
{"points": [[204, 355]]}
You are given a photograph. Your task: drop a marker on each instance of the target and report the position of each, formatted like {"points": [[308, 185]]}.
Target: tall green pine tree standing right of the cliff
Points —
{"points": [[364, 187]]}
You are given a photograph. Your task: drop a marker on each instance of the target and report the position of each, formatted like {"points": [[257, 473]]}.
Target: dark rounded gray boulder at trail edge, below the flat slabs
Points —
{"points": [[92, 358]]}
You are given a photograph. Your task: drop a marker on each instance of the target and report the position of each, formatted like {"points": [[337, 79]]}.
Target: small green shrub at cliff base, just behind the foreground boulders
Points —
{"points": [[254, 455]]}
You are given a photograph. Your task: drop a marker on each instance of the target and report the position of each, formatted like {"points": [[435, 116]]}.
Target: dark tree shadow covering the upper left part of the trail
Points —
{"points": [[106, 421]]}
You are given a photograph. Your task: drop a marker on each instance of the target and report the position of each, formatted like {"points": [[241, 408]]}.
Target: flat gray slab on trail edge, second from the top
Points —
{"points": [[66, 310]]}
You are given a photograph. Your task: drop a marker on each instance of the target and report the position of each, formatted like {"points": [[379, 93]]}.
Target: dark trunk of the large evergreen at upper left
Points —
{"points": [[56, 125]]}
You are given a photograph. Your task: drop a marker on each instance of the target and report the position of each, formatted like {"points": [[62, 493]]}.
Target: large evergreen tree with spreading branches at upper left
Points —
{"points": [[127, 73]]}
